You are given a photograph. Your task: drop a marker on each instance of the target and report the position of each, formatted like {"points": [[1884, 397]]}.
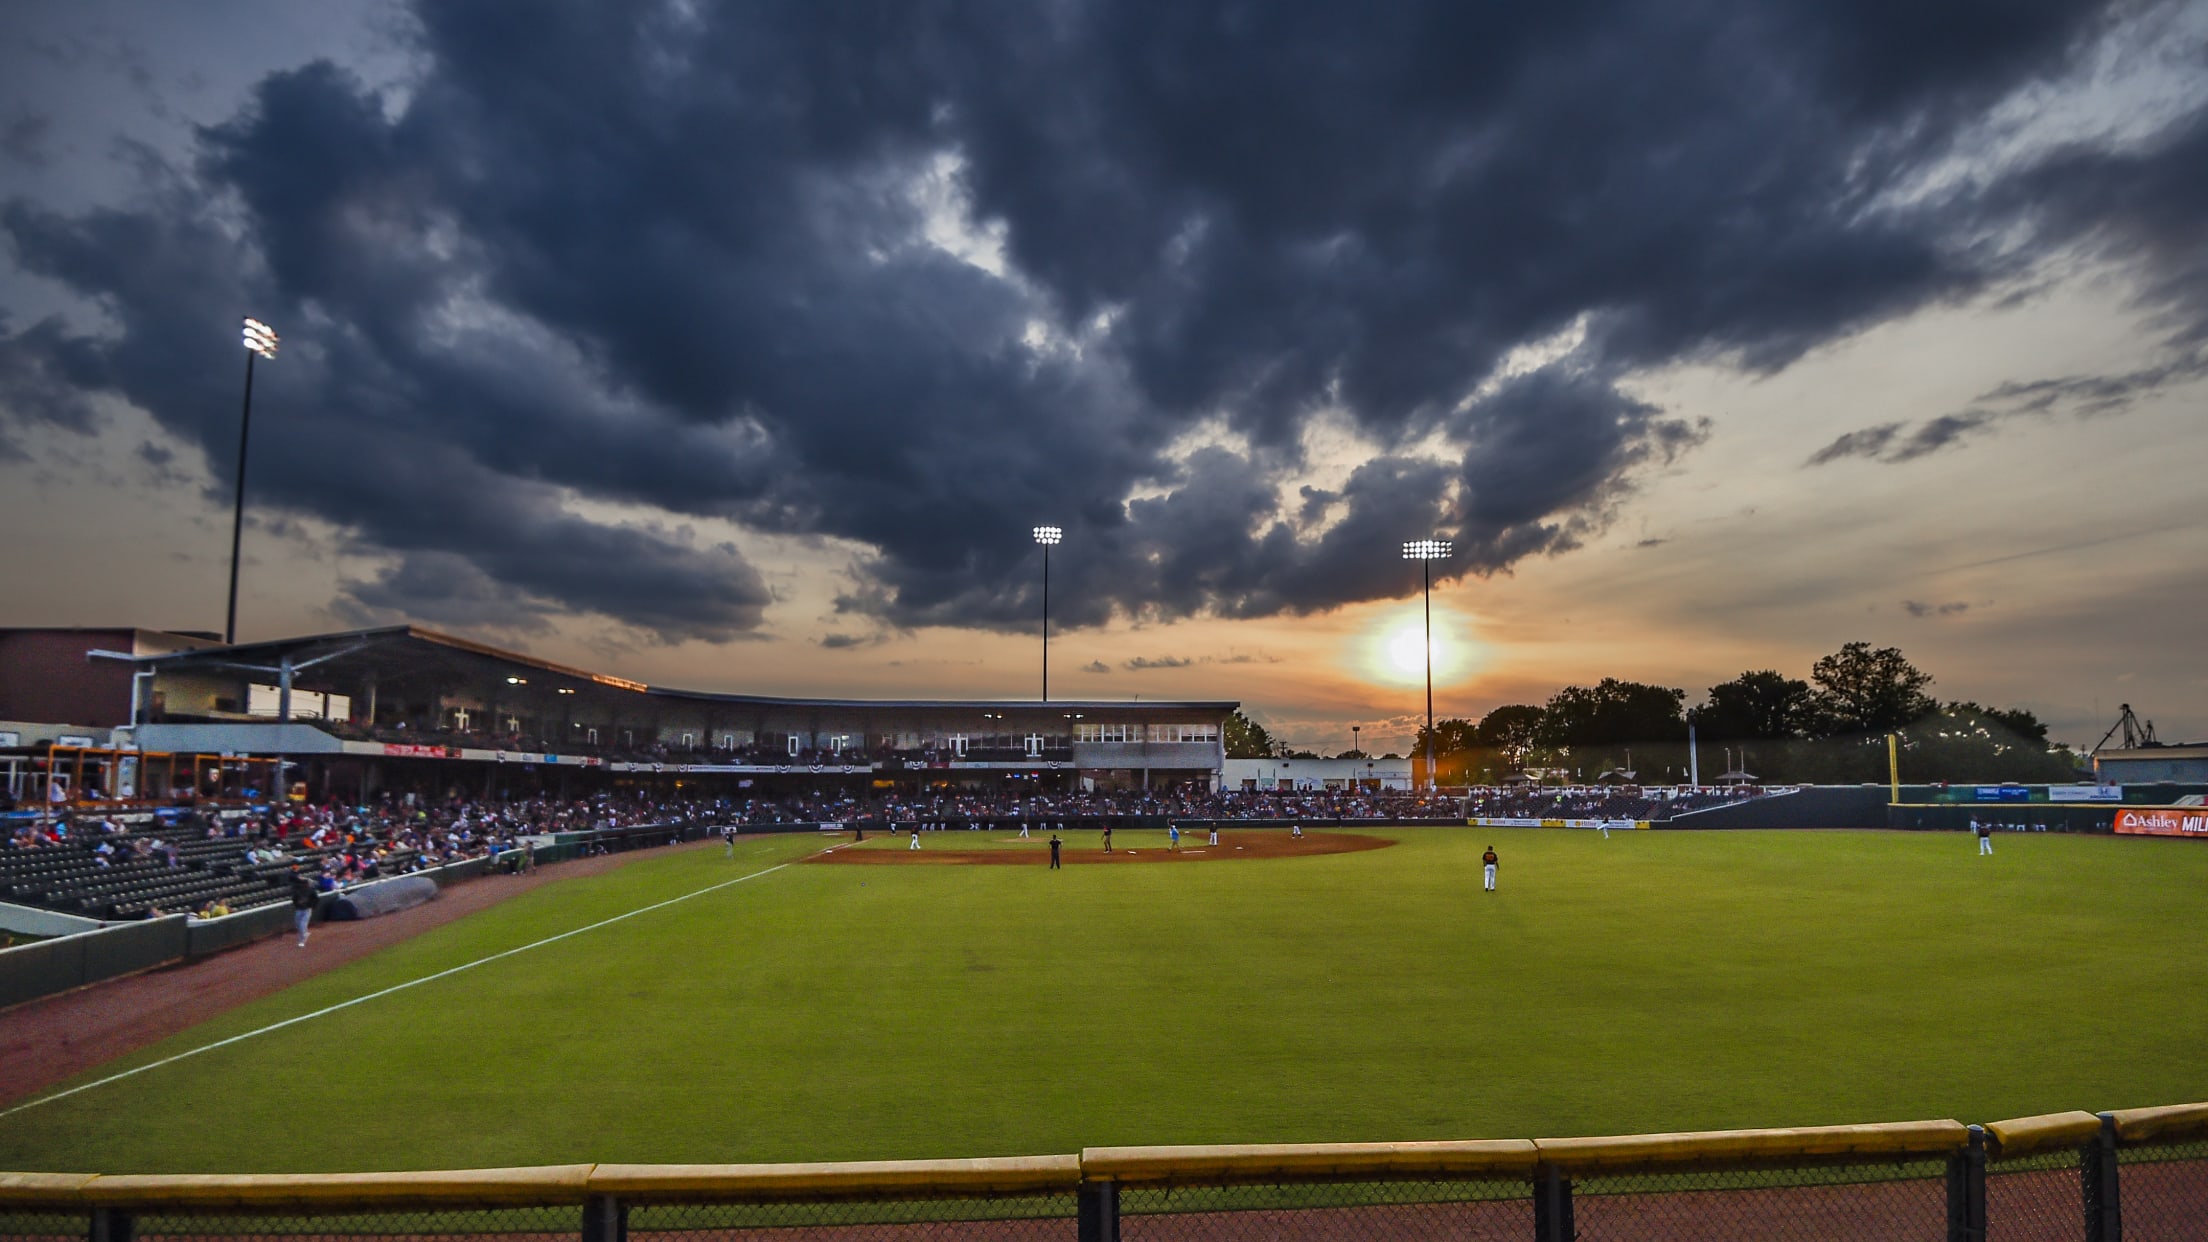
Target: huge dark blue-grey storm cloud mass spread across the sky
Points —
{"points": [[679, 260]]}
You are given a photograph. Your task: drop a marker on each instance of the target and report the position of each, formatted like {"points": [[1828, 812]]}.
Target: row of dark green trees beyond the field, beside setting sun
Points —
{"points": [[1763, 724]]}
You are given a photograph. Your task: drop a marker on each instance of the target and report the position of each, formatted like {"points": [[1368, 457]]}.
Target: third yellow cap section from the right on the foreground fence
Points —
{"points": [[1756, 1146]]}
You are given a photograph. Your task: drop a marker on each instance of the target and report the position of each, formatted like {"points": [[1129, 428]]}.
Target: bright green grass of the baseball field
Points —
{"points": [[1631, 985]]}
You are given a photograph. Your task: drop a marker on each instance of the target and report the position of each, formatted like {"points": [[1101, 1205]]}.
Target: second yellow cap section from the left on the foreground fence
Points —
{"points": [[440, 1188]]}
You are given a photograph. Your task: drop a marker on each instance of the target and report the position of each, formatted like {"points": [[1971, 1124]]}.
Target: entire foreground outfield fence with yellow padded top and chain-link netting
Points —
{"points": [[2136, 1175]]}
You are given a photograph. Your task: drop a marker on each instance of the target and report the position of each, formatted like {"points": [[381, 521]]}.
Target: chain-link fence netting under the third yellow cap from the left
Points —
{"points": [[997, 1219]]}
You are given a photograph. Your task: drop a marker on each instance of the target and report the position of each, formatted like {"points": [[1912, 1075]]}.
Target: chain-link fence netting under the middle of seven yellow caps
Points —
{"points": [[1328, 1212]]}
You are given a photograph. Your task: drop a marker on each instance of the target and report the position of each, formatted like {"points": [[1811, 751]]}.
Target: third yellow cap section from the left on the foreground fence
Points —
{"points": [[856, 1179]]}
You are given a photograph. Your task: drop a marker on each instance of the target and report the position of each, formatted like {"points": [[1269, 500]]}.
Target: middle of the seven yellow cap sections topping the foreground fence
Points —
{"points": [[1251, 1164]]}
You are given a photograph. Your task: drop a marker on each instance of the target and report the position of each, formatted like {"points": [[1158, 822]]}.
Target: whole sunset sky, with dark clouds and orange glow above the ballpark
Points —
{"points": [[741, 346]]}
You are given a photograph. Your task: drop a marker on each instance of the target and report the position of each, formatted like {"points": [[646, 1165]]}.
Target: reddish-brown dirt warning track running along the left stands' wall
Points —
{"points": [[59, 1038]]}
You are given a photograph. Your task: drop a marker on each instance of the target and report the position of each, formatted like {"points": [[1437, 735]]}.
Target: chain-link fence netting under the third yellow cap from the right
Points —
{"points": [[1845, 1201]]}
